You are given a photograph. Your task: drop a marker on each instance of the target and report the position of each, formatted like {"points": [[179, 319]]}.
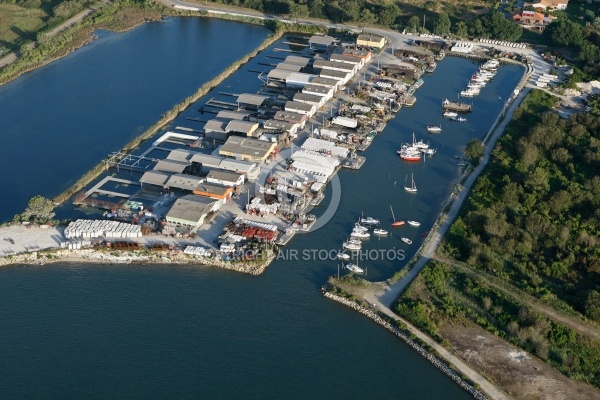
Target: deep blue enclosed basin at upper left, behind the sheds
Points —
{"points": [[61, 120]]}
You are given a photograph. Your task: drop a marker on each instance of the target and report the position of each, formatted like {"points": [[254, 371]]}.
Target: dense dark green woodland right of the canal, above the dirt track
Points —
{"points": [[533, 217]]}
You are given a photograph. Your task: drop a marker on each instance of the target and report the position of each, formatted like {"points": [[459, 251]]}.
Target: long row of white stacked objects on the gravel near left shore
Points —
{"points": [[85, 228]]}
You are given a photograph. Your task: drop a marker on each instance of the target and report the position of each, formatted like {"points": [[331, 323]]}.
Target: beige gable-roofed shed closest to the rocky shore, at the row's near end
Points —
{"points": [[190, 211]]}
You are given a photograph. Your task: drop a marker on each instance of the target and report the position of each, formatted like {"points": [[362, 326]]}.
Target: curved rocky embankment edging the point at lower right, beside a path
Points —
{"points": [[430, 357]]}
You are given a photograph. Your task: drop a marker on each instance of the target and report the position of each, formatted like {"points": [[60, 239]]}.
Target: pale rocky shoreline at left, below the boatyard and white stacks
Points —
{"points": [[97, 256]]}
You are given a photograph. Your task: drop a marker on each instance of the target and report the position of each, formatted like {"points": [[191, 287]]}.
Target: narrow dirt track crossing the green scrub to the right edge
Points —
{"points": [[579, 326]]}
